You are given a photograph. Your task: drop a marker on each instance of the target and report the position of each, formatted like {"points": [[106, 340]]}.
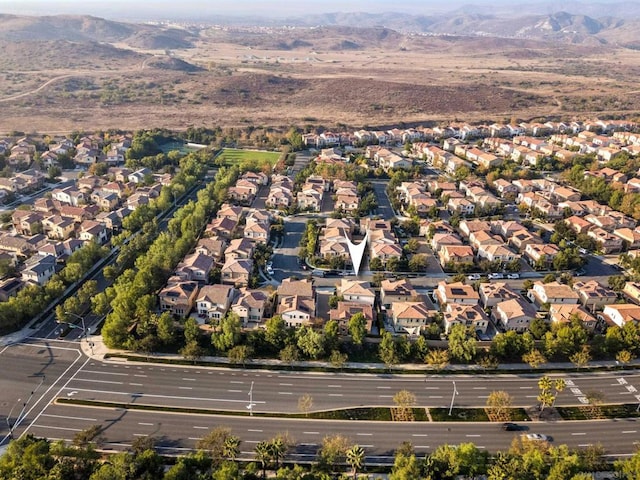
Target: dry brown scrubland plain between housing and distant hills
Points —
{"points": [[60, 87]]}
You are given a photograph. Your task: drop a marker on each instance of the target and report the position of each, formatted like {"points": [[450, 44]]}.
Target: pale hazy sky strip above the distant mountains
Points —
{"points": [[155, 9]]}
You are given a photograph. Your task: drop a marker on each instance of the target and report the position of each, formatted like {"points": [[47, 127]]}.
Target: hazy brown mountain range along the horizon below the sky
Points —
{"points": [[577, 29]]}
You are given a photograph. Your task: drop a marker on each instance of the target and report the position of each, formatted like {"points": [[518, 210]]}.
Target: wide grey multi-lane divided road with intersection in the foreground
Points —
{"points": [[44, 370]]}
